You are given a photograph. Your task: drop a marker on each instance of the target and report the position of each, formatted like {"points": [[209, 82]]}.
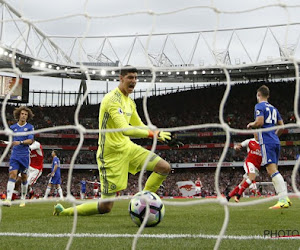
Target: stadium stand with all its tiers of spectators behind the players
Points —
{"points": [[179, 109]]}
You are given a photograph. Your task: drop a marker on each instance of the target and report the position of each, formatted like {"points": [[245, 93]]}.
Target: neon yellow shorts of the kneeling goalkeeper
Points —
{"points": [[115, 166]]}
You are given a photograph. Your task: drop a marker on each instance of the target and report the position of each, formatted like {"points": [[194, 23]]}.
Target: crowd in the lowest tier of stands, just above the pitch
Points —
{"points": [[229, 177]]}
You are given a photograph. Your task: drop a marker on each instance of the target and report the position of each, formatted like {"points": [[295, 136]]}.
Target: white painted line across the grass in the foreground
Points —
{"points": [[157, 236]]}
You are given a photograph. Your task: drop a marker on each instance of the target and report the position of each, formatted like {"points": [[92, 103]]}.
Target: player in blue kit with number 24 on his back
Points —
{"points": [[267, 116]]}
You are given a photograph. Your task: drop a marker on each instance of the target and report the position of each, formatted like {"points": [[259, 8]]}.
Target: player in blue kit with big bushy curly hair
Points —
{"points": [[20, 155]]}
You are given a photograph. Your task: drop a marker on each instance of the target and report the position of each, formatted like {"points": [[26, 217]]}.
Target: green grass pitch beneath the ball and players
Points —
{"points": [[206, 219]]}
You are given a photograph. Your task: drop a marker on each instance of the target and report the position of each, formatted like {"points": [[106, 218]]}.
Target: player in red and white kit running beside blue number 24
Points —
{"points": [[251, 166]]}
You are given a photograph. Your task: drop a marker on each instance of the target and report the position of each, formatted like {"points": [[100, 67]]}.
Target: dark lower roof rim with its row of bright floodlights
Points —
{"points": [[272, 71]]}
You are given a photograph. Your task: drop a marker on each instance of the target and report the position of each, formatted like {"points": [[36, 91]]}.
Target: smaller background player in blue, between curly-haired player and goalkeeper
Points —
{"points": [[55, 178]]}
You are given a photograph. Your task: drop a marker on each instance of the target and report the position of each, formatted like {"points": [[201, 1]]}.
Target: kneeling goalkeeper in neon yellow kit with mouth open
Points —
{"points": [[117, 154]]}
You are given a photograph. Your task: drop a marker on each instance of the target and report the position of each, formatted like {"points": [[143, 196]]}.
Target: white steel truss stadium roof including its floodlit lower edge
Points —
{"points": [[28, 48]]}
